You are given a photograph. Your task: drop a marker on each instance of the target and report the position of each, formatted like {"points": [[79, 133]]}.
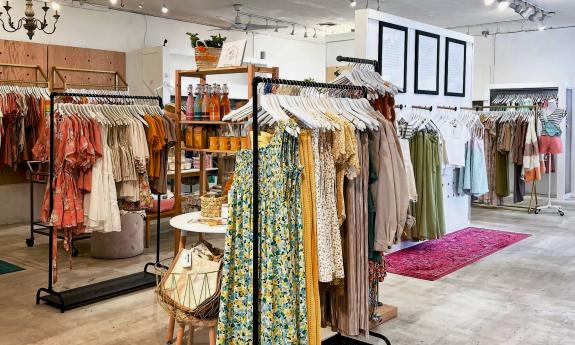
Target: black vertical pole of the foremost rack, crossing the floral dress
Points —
{"points": [[255, 209]]}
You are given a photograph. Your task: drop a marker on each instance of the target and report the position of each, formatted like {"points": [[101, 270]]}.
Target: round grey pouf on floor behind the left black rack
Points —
{"points": [[120, 245]]}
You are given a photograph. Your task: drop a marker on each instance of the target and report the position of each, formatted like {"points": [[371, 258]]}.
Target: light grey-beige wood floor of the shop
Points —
{"points": [[524, 294]]}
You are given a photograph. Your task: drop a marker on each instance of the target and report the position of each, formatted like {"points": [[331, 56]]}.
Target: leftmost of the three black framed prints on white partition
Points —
{"points": [[393, 54]]}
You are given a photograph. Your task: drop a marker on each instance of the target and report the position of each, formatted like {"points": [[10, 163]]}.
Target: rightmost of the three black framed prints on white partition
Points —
{"points": [[455, 67]]}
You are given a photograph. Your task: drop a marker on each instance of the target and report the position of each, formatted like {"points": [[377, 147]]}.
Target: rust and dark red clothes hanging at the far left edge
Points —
{"points": [[22, 111]]}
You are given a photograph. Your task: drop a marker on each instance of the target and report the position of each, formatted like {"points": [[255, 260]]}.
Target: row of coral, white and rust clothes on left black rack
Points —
{"points": [[102, 157]]}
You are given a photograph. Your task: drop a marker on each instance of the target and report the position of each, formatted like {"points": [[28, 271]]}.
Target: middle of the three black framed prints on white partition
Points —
{"points": [[426, 63]]}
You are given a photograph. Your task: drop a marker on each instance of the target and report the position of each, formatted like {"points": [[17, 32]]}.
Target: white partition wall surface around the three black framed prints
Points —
{"points": [[457, 209]]}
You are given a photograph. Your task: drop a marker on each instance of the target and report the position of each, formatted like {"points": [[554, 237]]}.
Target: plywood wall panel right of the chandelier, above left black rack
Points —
{"points": [[84, 58]]}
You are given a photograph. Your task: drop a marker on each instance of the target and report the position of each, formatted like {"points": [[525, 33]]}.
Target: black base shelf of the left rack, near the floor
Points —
{"points": [[85, 295]]}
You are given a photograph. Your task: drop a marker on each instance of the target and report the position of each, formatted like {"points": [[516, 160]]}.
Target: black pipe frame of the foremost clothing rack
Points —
{"points": [[255, 198]]}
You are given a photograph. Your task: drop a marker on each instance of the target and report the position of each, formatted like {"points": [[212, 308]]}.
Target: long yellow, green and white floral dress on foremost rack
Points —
{"points": [[283, 318]]}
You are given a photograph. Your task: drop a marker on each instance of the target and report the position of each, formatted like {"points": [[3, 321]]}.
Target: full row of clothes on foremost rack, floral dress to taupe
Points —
{"points": [[350, 157]]}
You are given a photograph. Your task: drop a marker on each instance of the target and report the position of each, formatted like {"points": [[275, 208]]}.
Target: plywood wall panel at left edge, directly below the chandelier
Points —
{"points": [[22, 53]]}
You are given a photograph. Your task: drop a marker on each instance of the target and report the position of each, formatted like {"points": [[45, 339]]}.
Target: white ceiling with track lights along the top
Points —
{"points": [[444, 13]]}
